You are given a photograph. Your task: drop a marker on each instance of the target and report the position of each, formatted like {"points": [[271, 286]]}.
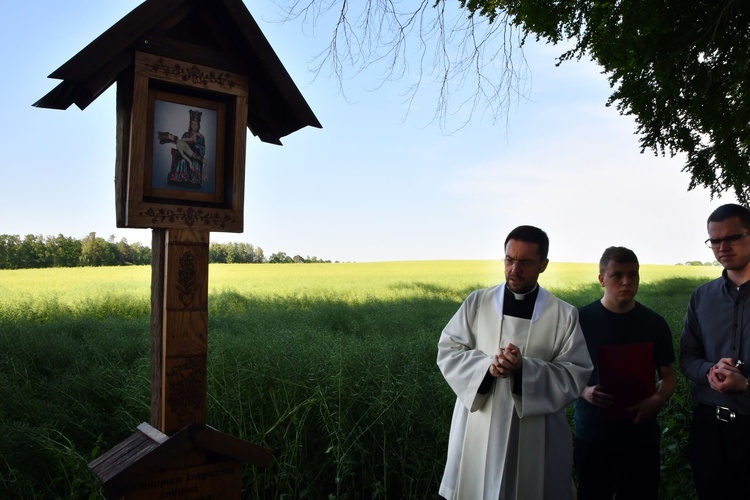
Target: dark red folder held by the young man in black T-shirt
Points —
{"points": [[627, 372]]}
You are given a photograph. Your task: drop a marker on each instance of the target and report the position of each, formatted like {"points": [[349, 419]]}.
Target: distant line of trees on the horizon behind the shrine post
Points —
{"points": [[36, 251]]}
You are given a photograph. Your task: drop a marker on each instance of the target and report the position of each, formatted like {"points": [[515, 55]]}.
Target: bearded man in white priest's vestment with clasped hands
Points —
{"points": [[515, 356]]}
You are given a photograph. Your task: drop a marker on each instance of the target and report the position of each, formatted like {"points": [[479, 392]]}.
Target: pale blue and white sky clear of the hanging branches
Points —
{"points": [[375, 183]]}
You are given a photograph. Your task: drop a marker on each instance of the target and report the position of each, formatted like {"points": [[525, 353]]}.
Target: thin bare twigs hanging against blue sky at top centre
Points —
{"points": [[475, 65]]}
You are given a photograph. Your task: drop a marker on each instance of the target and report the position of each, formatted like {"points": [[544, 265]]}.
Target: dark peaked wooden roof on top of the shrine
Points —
{"points": [[216, 33]]}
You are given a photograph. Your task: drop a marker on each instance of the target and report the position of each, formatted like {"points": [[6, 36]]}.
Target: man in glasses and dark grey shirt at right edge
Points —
{"points": [[714, 350]]}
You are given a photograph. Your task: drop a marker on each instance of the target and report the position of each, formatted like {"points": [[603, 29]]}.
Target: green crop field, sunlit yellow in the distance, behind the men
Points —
{"points": [[331, 365]]}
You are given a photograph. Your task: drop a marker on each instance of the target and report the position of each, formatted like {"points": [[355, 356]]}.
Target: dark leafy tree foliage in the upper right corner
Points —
{"points": [[679, 67]]}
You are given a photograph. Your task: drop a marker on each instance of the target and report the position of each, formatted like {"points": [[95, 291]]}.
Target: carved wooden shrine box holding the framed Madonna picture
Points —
{"points": [[182, 158]]}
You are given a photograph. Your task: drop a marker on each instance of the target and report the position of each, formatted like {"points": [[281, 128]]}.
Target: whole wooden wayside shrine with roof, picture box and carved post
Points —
{"points": [[192, 77]]}
